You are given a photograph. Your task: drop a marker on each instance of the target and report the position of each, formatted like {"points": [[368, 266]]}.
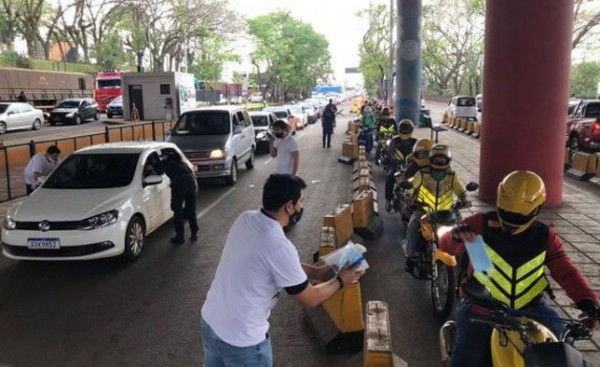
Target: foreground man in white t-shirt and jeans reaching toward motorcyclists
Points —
{"points": [[258, 262]]}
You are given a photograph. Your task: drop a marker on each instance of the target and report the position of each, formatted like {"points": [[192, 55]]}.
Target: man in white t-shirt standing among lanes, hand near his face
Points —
{"points": [[285, 149]]}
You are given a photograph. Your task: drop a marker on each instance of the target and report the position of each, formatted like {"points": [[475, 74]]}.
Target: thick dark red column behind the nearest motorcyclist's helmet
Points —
{"points": [[525, 94]]}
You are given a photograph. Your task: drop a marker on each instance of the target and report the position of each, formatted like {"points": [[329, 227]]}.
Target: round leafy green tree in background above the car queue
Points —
{"points": [[289, 53]]}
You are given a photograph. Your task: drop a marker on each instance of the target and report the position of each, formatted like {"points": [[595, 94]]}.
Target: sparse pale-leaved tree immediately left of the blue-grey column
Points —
{"points": [[373, 51]]}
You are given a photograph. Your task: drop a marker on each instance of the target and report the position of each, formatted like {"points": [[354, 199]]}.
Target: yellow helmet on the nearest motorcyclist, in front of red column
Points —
{"points": [[521, 195]]}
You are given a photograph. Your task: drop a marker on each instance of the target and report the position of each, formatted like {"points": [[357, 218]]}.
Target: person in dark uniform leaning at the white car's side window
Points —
{"points": [[183, 190]]}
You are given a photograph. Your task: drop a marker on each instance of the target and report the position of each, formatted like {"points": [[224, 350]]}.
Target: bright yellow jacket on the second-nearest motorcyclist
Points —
{"points": [[436, 195]]}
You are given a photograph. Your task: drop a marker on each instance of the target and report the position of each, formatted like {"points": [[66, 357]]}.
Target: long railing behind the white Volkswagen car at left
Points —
{"points": [[14, 158]]}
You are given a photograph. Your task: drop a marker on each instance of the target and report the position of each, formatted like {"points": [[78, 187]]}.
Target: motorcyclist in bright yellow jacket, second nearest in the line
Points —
{"points": [[434, 188]]}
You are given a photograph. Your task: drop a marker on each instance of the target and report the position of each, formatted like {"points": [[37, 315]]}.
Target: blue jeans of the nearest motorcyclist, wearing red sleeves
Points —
{"points": [[472, 341]]}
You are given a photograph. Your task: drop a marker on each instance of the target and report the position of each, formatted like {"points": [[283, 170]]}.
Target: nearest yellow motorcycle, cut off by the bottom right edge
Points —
{"points": [[517, 339]]}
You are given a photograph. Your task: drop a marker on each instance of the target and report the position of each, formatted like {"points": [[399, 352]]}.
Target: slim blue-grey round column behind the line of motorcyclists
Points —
{"points": [[408, 60]]}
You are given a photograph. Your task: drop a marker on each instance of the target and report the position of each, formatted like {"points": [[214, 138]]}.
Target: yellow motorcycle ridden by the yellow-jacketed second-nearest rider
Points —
{"points": [[431, 263]]}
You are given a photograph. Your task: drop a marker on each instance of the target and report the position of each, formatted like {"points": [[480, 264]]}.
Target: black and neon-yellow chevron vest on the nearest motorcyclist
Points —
{"points": [[518, 278]]}
